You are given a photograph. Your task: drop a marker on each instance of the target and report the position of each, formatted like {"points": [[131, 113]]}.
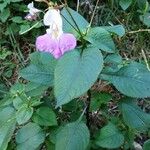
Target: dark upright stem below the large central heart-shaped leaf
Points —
{"points": [[88, 102]]}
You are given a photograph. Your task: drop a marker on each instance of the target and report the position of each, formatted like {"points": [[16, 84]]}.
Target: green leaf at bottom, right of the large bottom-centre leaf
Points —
{"points": [[109, 137]]}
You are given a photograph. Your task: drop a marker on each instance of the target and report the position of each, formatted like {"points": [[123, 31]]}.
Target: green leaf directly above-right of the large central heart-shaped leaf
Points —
{"points": [[101, 39]]}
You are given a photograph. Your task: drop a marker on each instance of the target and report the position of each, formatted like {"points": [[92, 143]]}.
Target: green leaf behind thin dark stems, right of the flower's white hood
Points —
{"points": [[80, 21]]}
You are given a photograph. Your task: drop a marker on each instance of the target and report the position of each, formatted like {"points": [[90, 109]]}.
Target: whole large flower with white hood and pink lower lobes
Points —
{"points": [[55, 41]]}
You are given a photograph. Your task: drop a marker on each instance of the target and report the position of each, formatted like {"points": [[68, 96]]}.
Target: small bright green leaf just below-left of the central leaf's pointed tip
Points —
{"points": [[45, 116]]}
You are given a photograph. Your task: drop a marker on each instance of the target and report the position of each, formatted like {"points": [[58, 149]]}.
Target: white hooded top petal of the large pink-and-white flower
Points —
{"points": [[52, 16]]}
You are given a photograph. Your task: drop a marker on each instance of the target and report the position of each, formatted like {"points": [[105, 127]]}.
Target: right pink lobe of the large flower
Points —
{"points": [[67, 42]]}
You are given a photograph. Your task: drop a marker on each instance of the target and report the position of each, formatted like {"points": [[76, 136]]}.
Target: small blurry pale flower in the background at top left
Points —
{"points": [[33, 12]]}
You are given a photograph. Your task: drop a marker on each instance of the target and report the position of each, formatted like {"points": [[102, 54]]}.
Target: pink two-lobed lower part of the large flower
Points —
{"points": [[57, 47]]}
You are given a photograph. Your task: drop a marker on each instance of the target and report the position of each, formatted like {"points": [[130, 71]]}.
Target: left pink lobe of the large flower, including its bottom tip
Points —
{"points": [[45, 43]]}
